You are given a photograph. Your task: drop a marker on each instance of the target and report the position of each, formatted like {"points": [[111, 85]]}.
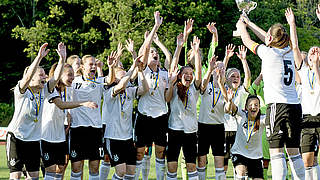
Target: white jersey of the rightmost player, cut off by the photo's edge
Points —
{"points": [[310, 91]]}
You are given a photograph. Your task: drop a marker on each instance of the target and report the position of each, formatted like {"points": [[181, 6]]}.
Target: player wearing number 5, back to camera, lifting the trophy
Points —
{"points": [[283, 121]]}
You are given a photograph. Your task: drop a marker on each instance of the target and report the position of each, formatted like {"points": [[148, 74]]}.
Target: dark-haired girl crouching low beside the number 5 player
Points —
{"points": [[247, 149]]}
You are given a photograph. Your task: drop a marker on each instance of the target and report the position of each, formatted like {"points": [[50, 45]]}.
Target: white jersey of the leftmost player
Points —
{"points": [[26, 120]]}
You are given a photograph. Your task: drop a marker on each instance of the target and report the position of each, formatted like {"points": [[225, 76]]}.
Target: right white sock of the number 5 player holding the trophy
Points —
{"points": [[297, 167]]}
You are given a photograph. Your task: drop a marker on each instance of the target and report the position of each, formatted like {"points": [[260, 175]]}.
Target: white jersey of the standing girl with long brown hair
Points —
{"points": [[183, 115]]}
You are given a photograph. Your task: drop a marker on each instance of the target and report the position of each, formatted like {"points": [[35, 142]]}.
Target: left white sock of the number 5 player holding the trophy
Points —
{"points": [[278, 166]]}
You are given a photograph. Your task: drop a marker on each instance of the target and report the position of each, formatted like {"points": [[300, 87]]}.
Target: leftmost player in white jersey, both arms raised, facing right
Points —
{"points": [[24, 130]]}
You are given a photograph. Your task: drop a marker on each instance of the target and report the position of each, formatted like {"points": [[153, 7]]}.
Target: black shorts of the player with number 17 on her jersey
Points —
{"points": [[86, 143]]}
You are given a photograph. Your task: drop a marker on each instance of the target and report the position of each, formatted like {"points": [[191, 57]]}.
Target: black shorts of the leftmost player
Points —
{"points": [[22, 153]]}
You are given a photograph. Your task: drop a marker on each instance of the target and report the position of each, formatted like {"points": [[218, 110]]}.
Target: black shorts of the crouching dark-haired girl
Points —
{"points": [[254, 166]]}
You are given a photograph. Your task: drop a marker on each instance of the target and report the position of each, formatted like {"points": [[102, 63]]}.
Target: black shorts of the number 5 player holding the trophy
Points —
{"points": [[283, 125]]}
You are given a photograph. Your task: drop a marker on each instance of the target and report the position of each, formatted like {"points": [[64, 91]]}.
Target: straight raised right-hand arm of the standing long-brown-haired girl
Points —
{"points": [[196, 49]]}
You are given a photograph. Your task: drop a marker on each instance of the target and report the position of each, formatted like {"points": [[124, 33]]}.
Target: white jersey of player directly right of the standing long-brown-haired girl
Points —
{"points": [[212, 106]]}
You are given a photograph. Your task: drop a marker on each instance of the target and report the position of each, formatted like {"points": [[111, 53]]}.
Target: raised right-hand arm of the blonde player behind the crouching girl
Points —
{"points": [[242, 55]]}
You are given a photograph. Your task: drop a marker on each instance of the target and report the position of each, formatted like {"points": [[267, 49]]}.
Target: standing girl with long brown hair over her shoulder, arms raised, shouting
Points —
{"points": [[183, 126]]}
